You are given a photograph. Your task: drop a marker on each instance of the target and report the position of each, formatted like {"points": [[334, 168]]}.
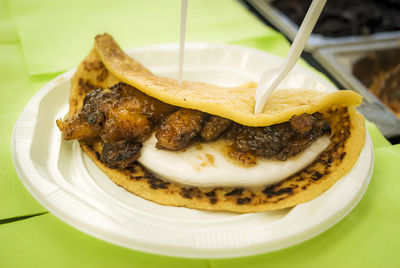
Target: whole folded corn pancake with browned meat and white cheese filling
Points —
{"points": [[201, 146]]}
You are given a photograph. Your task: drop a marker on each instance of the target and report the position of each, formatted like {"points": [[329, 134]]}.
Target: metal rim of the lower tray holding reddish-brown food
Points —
{"points": [[338, 61]]}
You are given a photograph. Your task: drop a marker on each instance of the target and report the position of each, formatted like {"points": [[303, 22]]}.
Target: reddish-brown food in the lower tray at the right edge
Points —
{"points": [[380, 72]]}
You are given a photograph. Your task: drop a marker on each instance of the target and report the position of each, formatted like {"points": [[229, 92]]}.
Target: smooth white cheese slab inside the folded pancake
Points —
{"points": [[208, 166]]}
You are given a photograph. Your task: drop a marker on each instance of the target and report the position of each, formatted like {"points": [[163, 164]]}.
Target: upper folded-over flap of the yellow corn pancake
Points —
{"points": [[235, 103]]}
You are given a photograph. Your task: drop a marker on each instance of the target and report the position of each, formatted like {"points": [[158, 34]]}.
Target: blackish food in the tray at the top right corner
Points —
{"points": [[347, 17]]}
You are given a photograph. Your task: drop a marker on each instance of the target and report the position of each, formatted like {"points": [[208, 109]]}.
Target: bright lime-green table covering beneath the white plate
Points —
{"points": [[40, 39]]}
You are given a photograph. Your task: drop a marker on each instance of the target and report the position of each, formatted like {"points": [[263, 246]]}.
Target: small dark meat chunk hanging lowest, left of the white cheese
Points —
{"points": [[120, 154]]}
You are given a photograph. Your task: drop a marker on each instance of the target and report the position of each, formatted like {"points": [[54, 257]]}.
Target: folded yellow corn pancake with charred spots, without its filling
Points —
{"points": [[347, 139]]}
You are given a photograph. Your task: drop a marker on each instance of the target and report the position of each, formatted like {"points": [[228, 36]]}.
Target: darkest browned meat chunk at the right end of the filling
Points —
{"points": [[279, 141]]}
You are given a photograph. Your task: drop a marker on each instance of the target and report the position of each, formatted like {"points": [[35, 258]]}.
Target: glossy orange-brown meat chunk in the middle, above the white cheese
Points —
{"points": [[179, 129]]}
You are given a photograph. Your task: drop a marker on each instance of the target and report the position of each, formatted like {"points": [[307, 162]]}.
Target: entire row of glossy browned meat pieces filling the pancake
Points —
{"points": [[123, 117]]}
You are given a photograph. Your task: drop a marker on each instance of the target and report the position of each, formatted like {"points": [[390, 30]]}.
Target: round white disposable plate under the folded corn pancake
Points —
{"points": [[71, 187]]}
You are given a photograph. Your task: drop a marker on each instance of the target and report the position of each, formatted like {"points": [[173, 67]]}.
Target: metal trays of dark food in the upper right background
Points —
{"points": [[356, 44]]}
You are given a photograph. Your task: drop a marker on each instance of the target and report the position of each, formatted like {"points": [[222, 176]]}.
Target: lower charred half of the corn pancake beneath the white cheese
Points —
{"points": [[281, 195]]}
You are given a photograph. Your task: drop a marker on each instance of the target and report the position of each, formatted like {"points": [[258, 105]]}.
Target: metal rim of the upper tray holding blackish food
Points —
{"points": [[315, 41]]}
